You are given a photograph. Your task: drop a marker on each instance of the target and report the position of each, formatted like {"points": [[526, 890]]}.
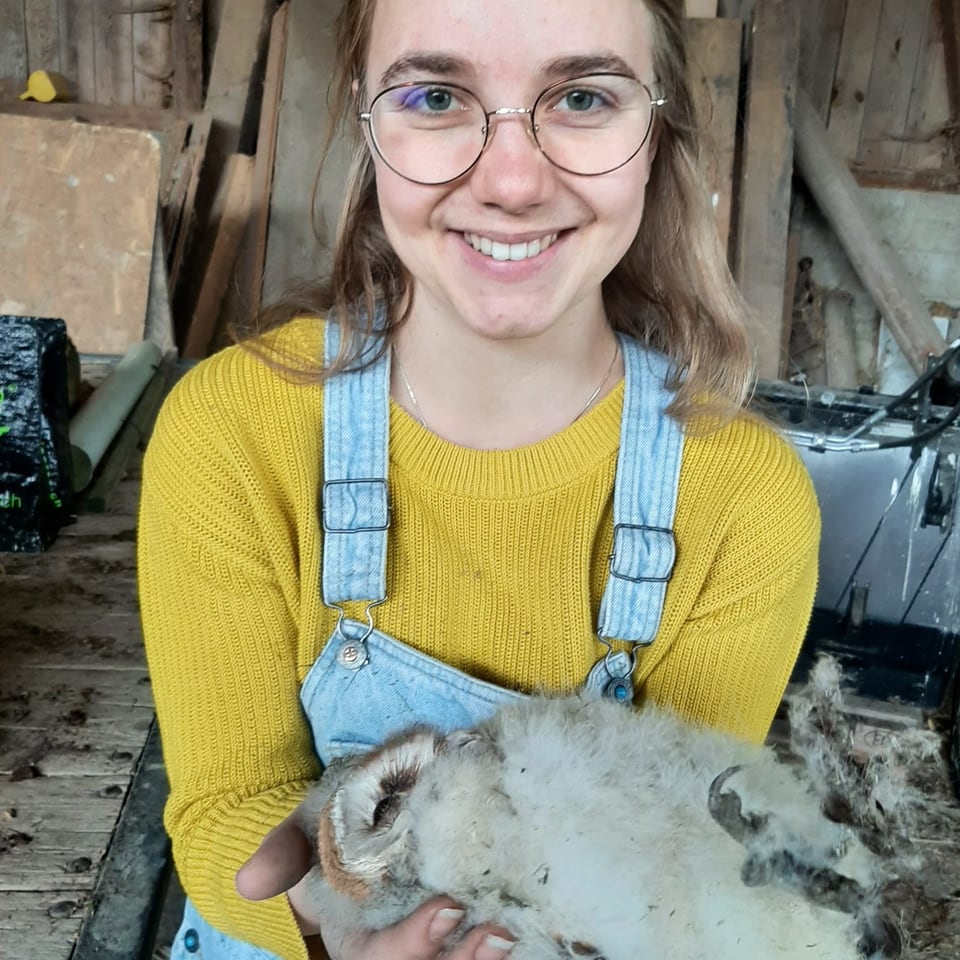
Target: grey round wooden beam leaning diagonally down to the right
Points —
{"points": [[878, 265]]}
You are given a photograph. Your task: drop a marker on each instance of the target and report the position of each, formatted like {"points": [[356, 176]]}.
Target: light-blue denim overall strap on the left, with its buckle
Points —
{"points": [[354, 507]]}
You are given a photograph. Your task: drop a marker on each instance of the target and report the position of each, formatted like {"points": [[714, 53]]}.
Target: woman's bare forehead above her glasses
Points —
{"points": [[508, 41]]}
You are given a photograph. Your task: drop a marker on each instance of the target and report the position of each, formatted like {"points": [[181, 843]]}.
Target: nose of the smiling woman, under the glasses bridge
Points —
{"points": [[512, 172]]}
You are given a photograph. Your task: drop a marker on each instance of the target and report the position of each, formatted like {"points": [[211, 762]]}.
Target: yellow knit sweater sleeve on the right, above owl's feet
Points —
{"points": [[744, 584]]}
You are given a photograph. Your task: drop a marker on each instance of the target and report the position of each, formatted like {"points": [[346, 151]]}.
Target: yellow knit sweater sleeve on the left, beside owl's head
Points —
{"points": [[217, 555]]}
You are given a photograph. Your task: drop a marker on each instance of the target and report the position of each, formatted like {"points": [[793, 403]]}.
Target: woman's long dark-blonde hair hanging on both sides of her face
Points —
{"points": [[672, 289]]}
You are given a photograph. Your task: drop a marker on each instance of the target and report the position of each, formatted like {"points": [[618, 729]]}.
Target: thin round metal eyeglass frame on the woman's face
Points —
{"points": [[652, 91]]}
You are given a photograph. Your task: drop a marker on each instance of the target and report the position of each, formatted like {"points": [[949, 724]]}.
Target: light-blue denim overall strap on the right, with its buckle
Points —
{"points": [[644, 501]]}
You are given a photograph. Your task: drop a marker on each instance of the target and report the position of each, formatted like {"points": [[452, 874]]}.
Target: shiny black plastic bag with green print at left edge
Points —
{"points": [[35, 464]]}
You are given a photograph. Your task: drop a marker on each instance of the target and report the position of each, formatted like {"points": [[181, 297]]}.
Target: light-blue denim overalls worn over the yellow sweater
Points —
{"points": [[366, 685]]}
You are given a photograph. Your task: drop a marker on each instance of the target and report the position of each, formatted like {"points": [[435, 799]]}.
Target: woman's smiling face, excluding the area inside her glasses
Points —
{"points": [[516, 247]]}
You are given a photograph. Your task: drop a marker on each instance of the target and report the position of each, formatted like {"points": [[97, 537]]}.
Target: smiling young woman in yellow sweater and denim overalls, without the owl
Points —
{"points": [[503, 451]]}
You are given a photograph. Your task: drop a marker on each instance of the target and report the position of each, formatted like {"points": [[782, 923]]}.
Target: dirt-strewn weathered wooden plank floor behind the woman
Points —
{"points": [[75, 743]]}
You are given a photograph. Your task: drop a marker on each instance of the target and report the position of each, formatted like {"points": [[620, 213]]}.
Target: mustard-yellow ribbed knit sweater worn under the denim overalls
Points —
{"points": [[496, 565]]}
